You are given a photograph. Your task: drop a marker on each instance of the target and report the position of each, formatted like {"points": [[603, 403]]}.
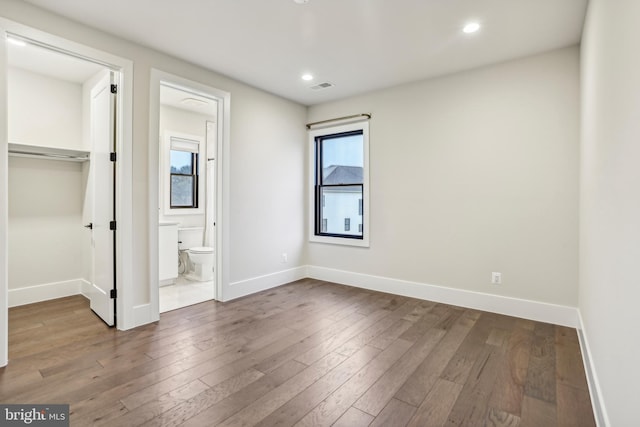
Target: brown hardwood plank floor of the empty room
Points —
{"points": [[309, 353]]}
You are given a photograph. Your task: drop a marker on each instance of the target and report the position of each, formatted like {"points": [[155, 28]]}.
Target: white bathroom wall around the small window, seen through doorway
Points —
{"points": [[186, 122]]}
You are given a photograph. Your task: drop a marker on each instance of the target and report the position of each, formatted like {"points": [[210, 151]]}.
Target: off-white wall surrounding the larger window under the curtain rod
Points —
{"points": [[473, 173]]}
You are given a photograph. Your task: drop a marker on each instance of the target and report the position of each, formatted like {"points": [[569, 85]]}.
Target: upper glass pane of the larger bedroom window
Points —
{"points": [[342, 159]]}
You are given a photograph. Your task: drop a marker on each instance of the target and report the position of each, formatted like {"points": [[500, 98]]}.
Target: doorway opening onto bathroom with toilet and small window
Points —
{"points": [[190, 129]]}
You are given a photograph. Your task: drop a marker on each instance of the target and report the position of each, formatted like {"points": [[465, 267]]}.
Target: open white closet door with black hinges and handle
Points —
{"points": [[103, 287]]}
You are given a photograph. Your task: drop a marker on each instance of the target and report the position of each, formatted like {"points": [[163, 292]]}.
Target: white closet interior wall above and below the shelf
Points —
{"points": [[46, 240]]}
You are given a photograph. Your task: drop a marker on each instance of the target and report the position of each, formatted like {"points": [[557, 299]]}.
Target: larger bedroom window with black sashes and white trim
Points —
{"points": [[339, 177]]}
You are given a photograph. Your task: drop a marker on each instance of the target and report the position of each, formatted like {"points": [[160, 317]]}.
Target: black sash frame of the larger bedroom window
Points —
{"points": [[319, 186]]}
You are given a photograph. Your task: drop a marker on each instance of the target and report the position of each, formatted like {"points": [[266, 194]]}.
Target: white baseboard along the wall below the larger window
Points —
{"points": [[526, 309]]}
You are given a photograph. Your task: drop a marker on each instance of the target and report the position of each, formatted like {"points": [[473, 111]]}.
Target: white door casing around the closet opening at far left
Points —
{"points": [[124, 176]]}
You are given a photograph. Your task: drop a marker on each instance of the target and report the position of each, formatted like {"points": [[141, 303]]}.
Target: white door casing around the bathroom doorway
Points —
{"points": [[223, 99]]}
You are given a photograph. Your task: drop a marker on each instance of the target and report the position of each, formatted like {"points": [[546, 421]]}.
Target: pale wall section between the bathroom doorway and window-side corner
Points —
{"points": [[268, 184]]}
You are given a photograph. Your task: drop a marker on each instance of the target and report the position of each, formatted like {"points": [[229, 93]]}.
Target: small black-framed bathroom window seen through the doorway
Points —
{"points": [[183, 159]]}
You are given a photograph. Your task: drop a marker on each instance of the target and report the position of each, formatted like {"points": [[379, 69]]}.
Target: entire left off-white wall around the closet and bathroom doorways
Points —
{"points": [[267, 155]]}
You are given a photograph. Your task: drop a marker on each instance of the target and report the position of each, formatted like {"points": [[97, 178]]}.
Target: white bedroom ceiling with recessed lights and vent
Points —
{"points": [[358, 45]]}
